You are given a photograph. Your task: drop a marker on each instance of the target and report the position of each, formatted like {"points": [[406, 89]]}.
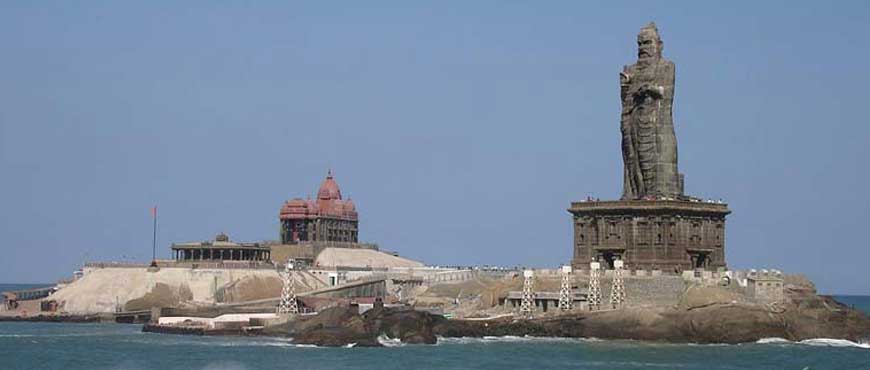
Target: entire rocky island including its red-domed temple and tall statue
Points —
{"points": [[649, 266]]}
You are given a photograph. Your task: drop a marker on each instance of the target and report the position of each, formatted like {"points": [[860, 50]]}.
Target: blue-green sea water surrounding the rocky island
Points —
{"points": [[125, 347]]}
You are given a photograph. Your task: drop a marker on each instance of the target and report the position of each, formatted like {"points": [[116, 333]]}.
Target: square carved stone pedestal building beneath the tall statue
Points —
{"points": [[667, 235]]}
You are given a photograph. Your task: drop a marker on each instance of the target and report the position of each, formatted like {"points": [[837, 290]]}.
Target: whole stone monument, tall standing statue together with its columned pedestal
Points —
{"points": [[654, 225]]}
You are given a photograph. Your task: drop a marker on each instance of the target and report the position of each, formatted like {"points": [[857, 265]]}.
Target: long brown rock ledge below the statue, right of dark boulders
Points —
{"points": [[720, 323]]}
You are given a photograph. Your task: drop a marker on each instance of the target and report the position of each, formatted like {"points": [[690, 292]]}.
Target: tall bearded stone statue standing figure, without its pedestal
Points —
{"points": [[649, 145]]}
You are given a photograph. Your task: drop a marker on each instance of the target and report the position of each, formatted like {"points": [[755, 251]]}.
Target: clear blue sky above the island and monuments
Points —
{"points": [[462, 129]]}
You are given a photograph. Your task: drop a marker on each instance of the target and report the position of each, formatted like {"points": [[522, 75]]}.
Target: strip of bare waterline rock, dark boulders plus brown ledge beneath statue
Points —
{"points": [[813, 317]]}
